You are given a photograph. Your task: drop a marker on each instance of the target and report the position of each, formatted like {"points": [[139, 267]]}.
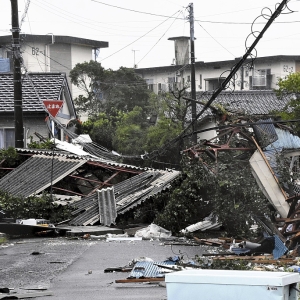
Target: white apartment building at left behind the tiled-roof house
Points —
{"points": [[50, 53]]}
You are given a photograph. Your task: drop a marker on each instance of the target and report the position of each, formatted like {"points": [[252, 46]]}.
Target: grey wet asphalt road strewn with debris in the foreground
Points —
{"points": [[74, 269]]}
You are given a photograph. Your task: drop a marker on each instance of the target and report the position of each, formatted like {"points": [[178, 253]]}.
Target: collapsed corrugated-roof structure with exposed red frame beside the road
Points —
{"points": [[102, 187]]}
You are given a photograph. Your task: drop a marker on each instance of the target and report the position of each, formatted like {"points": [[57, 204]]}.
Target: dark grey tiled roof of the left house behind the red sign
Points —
{"points": [[35, 88]]}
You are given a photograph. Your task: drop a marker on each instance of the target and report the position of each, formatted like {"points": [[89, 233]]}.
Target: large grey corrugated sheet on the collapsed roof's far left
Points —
{"points": [[35, 174]]}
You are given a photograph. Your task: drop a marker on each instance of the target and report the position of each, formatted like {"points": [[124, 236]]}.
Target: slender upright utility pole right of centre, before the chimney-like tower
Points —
{"points": [[193, 80]]}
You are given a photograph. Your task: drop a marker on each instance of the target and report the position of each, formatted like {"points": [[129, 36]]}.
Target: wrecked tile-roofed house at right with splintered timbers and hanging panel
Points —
{"points": [[247, 122]]}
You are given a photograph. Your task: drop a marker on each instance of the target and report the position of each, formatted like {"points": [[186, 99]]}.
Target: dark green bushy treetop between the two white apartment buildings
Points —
{"points": [[104, 90]]}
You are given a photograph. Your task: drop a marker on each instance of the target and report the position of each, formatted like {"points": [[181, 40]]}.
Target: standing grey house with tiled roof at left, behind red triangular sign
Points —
{"points": [[36, 87]]}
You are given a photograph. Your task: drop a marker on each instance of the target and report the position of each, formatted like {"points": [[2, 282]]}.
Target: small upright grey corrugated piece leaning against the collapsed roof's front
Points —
{"points": [[107, 206]]}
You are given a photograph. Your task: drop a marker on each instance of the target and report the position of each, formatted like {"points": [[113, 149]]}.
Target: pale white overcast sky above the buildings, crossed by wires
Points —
{"points": [[138, 30]]}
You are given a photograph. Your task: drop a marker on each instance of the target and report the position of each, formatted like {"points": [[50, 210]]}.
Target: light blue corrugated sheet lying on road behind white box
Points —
{"points": [[146, 269]]}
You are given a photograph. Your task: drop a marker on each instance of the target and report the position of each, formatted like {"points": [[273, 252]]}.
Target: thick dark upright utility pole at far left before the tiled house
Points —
{"points": [[18, 109]]}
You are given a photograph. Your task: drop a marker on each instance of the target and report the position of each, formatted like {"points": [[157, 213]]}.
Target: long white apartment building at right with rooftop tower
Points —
{"points": [[263, 75]]}
